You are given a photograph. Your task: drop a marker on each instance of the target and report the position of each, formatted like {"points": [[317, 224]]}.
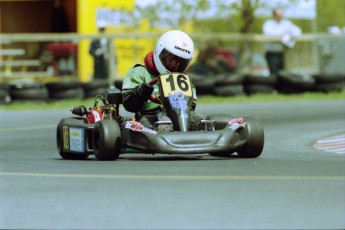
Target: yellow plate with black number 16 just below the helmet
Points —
{"points": [[174, 83]]}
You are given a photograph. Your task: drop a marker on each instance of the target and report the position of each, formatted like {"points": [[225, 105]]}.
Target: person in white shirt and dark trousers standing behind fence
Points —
{"points": [[287, 31]]}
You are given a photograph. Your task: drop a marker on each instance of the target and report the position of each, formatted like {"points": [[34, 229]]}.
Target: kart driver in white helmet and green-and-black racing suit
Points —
{"points": [[173, 52]]}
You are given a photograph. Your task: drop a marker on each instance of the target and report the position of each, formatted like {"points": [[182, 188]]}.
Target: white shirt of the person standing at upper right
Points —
{"points": [[283, 28]]}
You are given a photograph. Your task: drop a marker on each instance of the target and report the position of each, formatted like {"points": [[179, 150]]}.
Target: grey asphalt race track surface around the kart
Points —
{"points": [[290, 186]]}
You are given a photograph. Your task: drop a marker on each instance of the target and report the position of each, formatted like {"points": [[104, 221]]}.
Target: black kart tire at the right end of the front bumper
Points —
{"points": [[254, 134]]}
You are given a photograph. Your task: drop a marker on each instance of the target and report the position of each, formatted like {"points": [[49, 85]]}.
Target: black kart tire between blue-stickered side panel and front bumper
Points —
{"points": [[107, 140]]}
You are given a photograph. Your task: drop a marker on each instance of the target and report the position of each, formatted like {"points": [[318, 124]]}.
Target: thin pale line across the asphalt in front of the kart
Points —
{"points": [[172, 177]]}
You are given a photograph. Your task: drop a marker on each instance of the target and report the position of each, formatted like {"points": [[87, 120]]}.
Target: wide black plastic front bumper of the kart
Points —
{"points": [[185, 142]]}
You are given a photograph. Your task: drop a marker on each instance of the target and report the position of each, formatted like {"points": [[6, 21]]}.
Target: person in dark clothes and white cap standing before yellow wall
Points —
{"points": [[99, 51]]}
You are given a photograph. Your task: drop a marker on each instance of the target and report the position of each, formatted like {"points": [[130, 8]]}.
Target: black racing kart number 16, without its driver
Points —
{"points": [[102, 131]]}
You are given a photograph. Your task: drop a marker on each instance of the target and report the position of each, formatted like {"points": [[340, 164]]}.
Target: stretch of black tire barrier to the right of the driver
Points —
{"points": [[284, 82]]}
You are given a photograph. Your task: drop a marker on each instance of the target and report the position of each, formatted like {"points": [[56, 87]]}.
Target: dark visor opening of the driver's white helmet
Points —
{"points": [[172, 62]]}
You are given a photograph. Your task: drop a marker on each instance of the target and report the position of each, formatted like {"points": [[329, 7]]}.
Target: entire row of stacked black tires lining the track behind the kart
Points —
{"points": [[225, 84]]}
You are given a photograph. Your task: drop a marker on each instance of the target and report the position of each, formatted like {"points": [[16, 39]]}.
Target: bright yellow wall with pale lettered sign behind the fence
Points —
{"points": [[116, 14]]}
